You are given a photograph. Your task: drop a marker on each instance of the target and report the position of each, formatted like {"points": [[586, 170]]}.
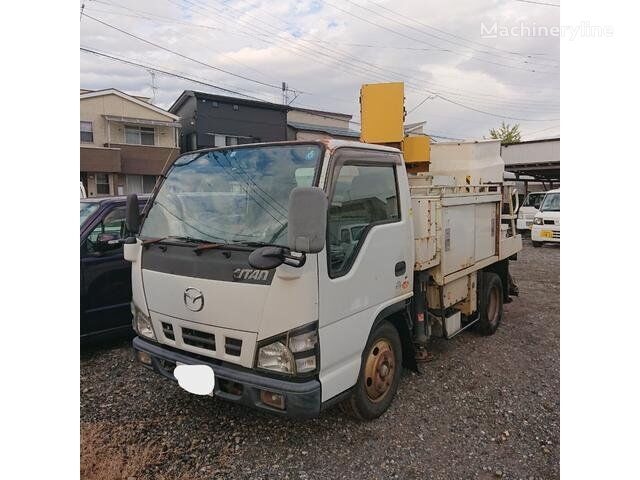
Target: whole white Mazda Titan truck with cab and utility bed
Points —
{"points": [[244, 282]]}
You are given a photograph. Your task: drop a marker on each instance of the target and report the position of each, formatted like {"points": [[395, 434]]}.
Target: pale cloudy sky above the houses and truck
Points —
{"points": [[467, 65]]}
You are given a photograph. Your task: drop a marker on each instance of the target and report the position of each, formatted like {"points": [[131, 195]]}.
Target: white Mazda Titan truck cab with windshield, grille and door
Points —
{"points": [[289, 338]]}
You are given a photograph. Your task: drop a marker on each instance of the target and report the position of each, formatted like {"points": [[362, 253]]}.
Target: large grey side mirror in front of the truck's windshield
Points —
{"points": [[307, 219]]}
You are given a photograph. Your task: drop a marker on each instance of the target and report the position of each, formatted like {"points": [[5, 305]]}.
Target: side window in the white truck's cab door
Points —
{"points": [[364, 196]]}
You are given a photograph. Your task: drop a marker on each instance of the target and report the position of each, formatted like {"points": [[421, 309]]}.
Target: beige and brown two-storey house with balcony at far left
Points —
{"points": [[125, 142]]}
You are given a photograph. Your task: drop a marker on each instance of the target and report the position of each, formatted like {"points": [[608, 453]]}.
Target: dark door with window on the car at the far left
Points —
{"points": [[106, 276]]}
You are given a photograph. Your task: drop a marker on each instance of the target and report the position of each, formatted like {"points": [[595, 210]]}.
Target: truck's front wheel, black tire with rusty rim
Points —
{"points": [[374, 391]]}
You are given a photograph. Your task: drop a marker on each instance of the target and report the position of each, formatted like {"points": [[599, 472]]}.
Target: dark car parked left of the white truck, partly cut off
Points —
{"points": [[105, 277]]}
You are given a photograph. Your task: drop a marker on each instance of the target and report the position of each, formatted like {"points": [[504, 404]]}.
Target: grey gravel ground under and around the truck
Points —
{"points": [[486, 407]]}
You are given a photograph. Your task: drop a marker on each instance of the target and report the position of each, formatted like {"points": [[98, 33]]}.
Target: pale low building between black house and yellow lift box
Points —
{"points": [[308, 124]]}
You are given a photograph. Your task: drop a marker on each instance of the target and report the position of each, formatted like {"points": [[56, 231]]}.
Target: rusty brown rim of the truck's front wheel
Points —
{"points": [[380, 370]]}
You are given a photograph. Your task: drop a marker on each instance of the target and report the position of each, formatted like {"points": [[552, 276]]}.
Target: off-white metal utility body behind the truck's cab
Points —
{"points": [[459, 224]]}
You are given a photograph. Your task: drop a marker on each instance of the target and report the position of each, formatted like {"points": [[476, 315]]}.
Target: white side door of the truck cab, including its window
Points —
{"points": [[361, 280]]}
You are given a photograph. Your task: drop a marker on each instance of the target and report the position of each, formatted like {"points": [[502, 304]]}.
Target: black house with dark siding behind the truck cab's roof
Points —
{"points": [[216, 120]]}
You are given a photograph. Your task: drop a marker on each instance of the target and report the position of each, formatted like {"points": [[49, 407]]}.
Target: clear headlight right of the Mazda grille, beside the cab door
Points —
{"points": [[295, 352]]}
